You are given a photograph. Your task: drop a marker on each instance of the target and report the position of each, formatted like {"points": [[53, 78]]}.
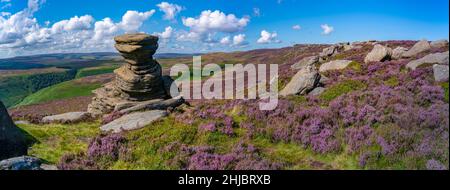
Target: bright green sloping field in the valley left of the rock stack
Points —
{"points": [[60, 91]]}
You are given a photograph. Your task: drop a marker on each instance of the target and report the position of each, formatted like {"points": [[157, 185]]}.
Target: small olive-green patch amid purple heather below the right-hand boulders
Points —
{"points": [[341, 88]]}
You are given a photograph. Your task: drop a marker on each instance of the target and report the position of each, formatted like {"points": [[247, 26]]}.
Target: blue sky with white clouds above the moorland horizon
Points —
{"points": [[197, 26]]}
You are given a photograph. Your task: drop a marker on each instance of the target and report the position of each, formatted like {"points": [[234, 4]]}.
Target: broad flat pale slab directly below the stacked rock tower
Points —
{"points": [[134, 121]]}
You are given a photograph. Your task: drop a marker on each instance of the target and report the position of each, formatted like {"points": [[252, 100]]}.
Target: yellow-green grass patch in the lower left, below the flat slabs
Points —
{"points": [[53, 141]]}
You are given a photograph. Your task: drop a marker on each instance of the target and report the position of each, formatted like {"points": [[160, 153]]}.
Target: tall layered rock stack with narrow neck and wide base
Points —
{"points": [[139, 80]]}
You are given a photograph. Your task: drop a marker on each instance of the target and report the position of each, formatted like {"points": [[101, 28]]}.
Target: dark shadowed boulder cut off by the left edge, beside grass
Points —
{"points": [[12, 140]]}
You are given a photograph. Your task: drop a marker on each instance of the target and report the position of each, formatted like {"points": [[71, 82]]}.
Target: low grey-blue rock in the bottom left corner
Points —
{"points": [[21, 163]]}
